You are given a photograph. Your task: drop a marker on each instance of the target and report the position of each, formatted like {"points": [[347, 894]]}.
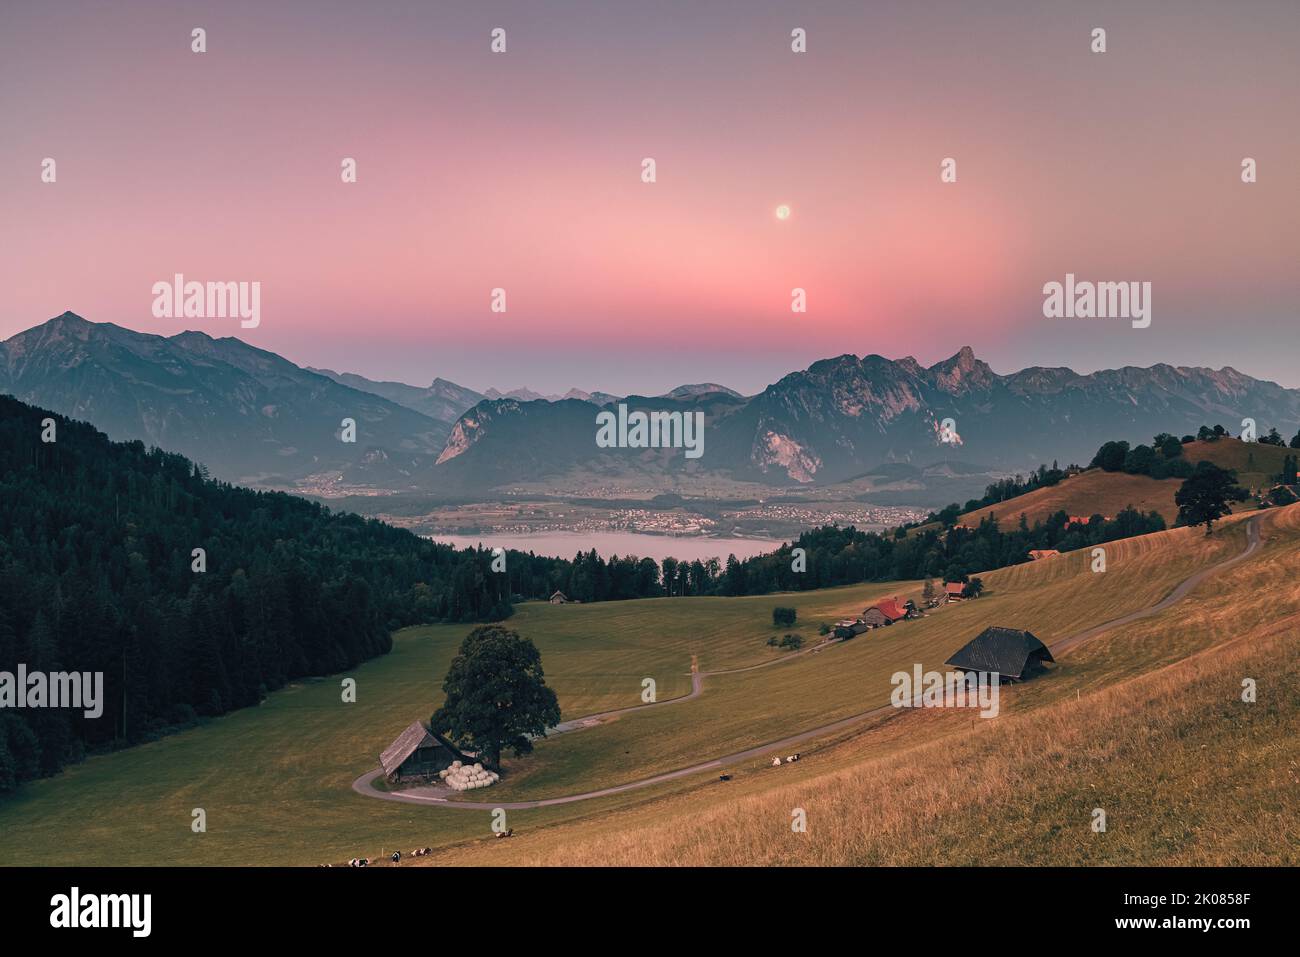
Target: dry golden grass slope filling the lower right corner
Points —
{"points": [[1188, 773]]}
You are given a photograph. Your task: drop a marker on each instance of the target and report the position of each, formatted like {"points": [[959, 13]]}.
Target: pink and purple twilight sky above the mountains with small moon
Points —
{"points": [[523, 171]]}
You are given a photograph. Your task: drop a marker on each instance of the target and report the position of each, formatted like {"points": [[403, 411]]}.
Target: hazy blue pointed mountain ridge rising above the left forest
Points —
{"points": [[248, 414]]}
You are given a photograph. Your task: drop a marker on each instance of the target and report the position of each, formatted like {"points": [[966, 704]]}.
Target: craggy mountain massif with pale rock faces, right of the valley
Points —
{"points": [[843, 417]]}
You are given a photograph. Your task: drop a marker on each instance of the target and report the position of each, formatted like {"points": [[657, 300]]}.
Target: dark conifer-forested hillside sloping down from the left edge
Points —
{"points": [[192, 596]]}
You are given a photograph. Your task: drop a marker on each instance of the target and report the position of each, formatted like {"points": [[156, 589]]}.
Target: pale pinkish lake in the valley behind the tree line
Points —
{"points": [[657, 547]]}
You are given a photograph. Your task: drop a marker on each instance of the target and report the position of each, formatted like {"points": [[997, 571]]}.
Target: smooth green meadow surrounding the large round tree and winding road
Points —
{"points": [[275, 781]]}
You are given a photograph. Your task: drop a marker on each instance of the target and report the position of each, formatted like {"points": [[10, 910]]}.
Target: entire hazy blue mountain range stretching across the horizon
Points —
{"points": [[254, 417]]}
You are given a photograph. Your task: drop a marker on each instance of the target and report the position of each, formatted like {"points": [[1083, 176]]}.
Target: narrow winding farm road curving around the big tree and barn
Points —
{"points": [[363, 785]]}
